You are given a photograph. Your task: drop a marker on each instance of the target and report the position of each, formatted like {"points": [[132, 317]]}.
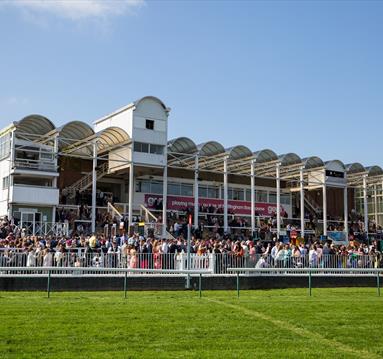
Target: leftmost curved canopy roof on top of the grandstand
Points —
{"points": [[33, 126]]}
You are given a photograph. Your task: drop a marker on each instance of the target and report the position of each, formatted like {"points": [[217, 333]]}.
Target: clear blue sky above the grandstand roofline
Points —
{"points": [[303, 76]]}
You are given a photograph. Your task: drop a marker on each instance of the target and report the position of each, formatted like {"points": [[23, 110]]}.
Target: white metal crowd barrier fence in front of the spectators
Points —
{"points": [[215, 263]]}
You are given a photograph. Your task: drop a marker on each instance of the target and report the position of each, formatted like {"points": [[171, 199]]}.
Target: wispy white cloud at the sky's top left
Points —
{"points": [[77, 9]]}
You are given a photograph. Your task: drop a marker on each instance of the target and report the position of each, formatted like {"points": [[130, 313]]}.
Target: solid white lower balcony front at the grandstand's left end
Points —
{"points": [[42, 196]]}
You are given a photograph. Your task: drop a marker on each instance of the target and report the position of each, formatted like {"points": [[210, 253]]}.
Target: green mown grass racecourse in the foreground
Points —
{"points": [[334, 323]]}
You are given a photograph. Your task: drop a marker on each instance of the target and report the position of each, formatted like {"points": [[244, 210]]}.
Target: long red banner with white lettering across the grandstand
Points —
{"points": [[178, 203]]}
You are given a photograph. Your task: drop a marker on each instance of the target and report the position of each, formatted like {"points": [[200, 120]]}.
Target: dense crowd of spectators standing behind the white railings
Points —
{"points": [[135, 251]]}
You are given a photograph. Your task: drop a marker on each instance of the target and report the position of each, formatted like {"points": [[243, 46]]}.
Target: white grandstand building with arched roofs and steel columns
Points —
{"points": [[125, 163]]}
